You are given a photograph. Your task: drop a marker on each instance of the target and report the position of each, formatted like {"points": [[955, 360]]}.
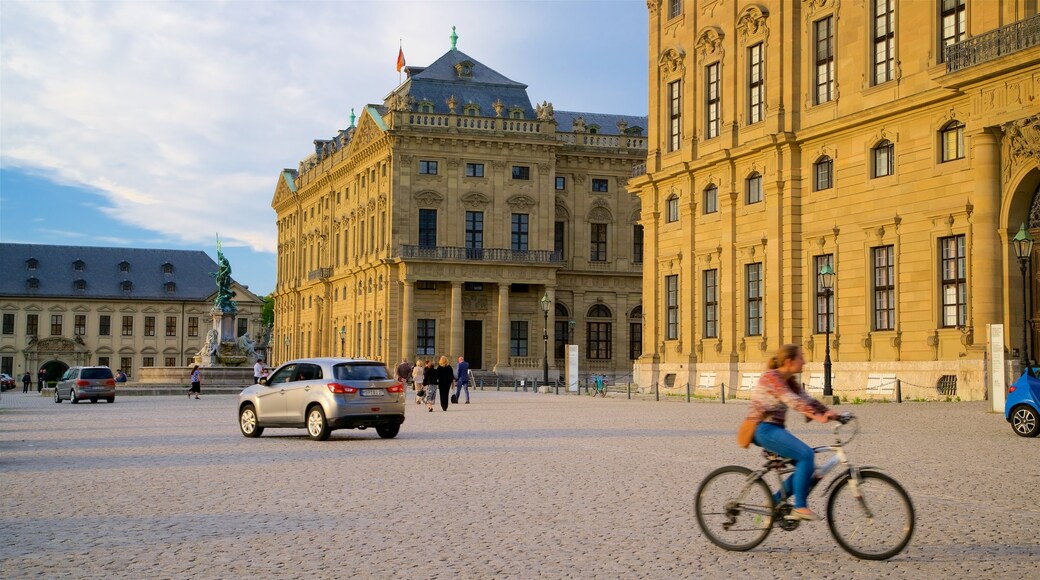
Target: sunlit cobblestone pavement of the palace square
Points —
{"points": [[522, 486]]}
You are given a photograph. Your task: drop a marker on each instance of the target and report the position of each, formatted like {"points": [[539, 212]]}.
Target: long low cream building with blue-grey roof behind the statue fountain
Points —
{"points": [[64, 306]]}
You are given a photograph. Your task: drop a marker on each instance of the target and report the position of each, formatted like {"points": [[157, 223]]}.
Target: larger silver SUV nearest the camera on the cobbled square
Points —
{"points": [[322, 396]]}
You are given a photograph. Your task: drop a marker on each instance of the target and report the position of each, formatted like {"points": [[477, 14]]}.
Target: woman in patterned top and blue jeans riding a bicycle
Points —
{"points": [[776, 391]]}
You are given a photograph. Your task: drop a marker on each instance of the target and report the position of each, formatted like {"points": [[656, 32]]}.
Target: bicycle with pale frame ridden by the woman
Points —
{"points": [[869, 514]]}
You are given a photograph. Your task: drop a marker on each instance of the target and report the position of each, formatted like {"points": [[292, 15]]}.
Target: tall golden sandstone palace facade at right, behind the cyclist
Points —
{"points": [[896, 142]]}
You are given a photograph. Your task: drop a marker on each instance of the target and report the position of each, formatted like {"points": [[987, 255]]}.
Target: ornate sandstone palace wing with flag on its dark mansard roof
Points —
{"points": [[443, 221]]}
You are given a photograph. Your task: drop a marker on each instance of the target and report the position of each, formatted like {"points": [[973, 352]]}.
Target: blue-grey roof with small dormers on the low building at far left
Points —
{"points": [[57, 276]]}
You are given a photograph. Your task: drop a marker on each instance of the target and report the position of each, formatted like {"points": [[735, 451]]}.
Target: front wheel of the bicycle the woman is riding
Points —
{"points": [[878, 524]]}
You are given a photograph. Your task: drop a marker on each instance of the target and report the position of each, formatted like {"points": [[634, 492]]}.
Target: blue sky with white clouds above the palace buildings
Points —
{"points": [[165, 124]]}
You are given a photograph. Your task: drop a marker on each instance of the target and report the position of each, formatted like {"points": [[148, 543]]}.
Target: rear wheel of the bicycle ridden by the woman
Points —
{"points": [[734, 510]]}
